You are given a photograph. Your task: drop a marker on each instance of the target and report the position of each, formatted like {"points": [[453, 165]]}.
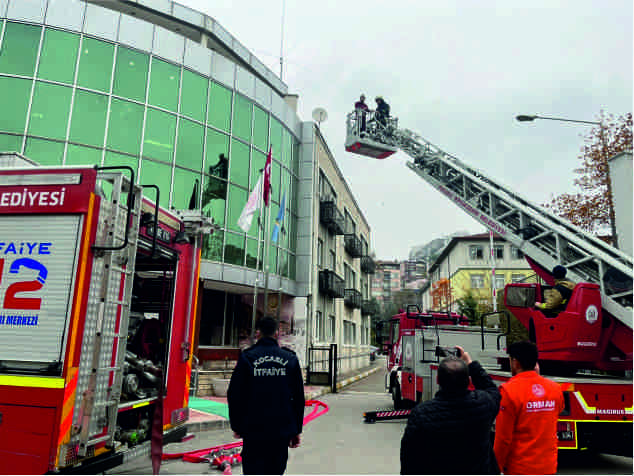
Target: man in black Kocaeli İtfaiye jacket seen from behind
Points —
{"points": [[266, 402]]}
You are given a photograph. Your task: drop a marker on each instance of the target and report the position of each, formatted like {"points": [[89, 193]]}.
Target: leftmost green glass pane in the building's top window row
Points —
{"points": [[19, 49]]}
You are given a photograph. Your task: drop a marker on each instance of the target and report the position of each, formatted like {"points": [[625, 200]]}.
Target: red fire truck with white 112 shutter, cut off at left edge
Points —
{"points": [[98, 290]]}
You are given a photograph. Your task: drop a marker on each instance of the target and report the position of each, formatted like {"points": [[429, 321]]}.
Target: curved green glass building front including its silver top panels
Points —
{"points": [[81, 83]]}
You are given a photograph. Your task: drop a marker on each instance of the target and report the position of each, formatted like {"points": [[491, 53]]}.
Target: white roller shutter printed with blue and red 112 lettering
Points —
{"points": [[35, 328]]}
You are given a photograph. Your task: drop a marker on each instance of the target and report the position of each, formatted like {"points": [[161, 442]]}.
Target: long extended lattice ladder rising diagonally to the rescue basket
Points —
{"points": [[546, 238]]}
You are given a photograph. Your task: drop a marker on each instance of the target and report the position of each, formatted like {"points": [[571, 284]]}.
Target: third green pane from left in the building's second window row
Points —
{"points": [[89, 118]]}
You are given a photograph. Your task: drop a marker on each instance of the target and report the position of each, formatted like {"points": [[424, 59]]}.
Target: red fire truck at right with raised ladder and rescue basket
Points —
{"points": [[587, 347]]}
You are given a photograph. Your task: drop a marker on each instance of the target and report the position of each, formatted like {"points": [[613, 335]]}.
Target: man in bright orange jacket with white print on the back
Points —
{"points": [[526, 426]]}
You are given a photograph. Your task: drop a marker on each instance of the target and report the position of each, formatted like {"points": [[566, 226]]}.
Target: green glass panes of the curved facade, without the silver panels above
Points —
{"points": [[68, 98]]}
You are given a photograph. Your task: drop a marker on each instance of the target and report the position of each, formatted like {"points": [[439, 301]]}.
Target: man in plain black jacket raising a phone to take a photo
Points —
{"points": [[451, 434]]}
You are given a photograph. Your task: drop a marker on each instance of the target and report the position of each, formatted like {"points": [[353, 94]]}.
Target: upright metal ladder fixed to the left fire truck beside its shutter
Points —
{"points": [[108, 312]]}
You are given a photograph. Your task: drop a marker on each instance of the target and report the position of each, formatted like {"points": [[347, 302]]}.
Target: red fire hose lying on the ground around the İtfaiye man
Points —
{"points": [[224, 456]]}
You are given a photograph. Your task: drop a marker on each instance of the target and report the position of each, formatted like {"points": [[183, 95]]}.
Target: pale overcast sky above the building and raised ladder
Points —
{"points": [[456, 72]]}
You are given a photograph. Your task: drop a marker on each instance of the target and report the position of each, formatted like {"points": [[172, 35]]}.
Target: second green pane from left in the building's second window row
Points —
{"points": [[50, 109]]}
